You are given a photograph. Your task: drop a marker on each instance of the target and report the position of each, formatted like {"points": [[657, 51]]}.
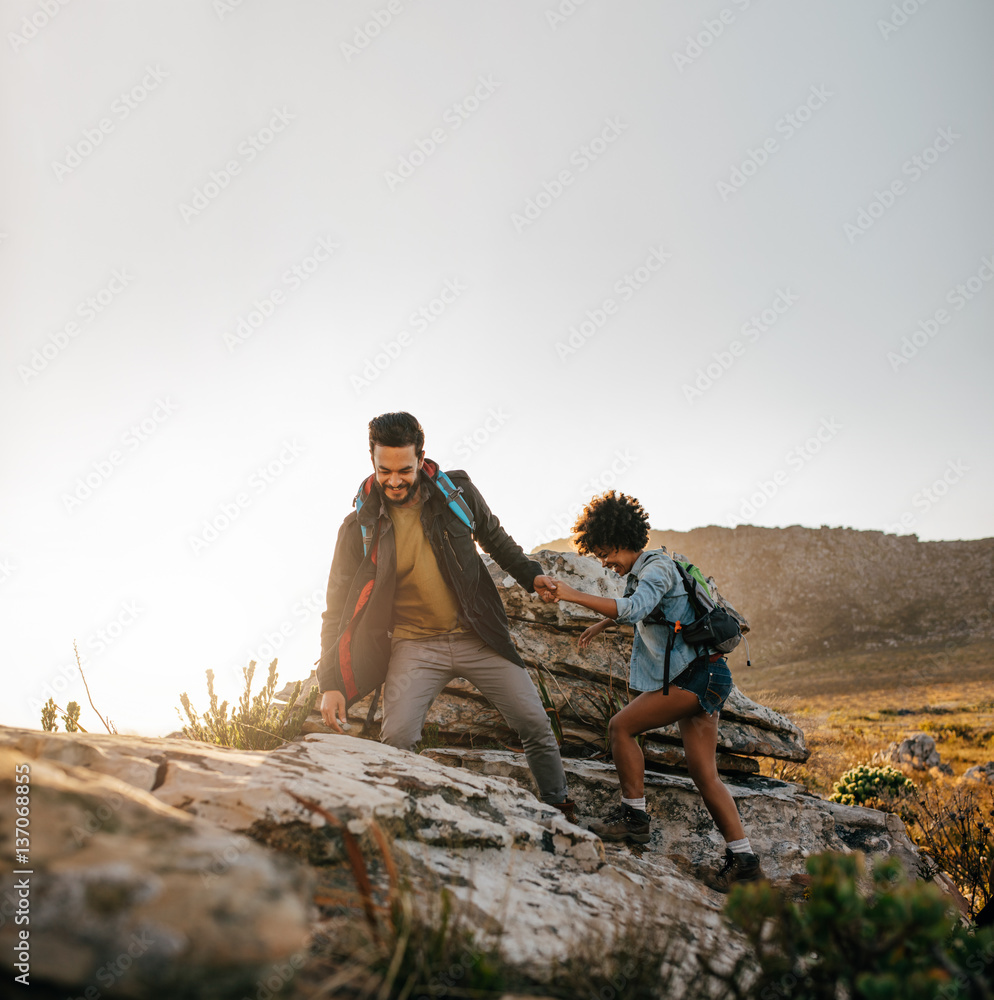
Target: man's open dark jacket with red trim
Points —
{"points": [[355, 639]]}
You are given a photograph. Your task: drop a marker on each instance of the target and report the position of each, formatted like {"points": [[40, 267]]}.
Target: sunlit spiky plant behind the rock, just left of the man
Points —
{"points": [[258, 723]]}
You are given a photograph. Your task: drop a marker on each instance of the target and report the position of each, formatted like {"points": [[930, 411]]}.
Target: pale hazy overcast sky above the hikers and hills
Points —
{"points": [[732, 258]]}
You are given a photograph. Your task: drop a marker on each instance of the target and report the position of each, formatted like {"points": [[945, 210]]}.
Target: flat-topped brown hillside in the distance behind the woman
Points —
{"points": [[815, 592]]}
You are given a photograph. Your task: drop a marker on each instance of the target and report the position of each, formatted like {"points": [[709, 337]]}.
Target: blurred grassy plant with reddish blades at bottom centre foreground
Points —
{"points": [[422, 945]]}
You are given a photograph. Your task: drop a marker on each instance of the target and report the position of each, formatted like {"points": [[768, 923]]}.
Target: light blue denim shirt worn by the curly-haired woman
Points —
{"points": [[654, 577]]}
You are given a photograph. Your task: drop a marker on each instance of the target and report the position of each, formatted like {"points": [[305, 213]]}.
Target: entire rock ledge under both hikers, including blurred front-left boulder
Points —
{"points": [[204, 857]]}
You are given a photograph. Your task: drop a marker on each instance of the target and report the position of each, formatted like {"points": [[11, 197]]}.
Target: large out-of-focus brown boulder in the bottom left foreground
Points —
{"points": [[130, 896]]}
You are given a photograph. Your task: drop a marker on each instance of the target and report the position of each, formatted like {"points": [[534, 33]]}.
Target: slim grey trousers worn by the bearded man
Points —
{"points": [[420, 668]]}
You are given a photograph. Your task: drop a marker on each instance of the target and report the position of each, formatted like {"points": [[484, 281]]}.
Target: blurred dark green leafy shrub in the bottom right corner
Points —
{"points": [[902, 941]]}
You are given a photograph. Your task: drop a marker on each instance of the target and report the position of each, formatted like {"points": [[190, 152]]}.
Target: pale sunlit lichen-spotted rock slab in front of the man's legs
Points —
{"points": [[252, 792]]}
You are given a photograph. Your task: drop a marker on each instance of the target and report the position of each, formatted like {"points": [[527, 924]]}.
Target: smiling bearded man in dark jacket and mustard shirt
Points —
{"points": [[412, 606]]}
